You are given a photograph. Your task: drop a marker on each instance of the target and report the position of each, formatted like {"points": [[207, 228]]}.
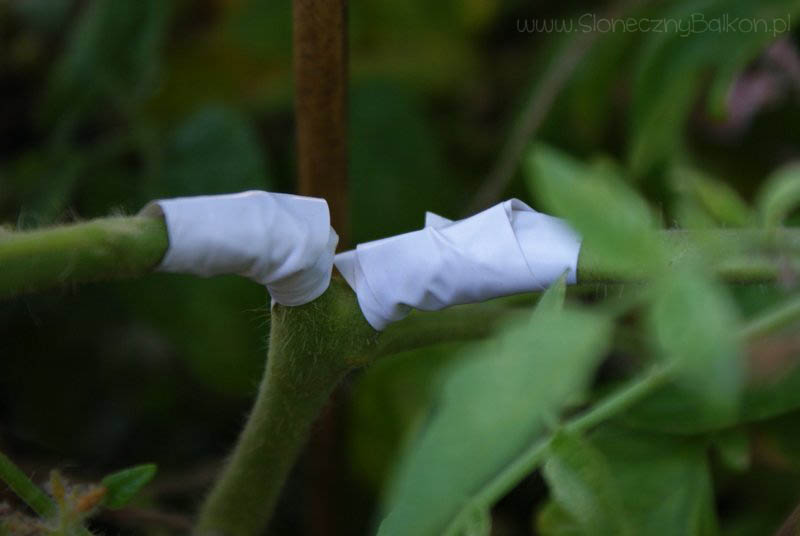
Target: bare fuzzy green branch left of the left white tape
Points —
{"points": [[98, 249]]}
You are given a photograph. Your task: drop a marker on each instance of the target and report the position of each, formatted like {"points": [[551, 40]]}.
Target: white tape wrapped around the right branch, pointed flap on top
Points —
{"points": [[507, 249]]}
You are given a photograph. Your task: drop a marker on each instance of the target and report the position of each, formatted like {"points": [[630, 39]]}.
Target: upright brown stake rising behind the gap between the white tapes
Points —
{"points": [[320, 76]]}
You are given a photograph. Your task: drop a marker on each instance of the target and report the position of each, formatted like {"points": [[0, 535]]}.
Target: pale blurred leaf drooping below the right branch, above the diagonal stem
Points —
{"points": [[694, 326]]}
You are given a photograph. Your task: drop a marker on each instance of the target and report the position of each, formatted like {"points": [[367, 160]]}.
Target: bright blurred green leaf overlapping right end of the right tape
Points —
{"points": [[614, 221]]}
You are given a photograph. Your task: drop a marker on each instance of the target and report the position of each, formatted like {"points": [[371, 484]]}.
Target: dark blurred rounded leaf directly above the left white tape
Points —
{"points": [[214, 151]]}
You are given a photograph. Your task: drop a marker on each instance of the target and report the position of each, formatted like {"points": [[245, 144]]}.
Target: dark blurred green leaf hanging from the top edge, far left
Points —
{"points": [[112, 57]]}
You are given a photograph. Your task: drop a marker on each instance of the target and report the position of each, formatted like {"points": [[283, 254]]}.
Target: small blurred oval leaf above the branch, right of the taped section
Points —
{"points": [[718, 199]]}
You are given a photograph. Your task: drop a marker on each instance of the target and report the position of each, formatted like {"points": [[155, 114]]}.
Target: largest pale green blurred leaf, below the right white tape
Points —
{"points": [[496, 401]]}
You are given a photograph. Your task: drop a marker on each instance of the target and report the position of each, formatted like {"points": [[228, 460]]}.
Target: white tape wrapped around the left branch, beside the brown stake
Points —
{"points": [[285, 242]]}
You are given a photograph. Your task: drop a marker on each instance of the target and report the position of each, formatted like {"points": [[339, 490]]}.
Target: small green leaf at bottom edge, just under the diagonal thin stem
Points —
{"points": [[582, 484]]}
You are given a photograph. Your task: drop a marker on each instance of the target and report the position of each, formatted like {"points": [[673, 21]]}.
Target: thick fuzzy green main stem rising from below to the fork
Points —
{"points": [[312, 347]]}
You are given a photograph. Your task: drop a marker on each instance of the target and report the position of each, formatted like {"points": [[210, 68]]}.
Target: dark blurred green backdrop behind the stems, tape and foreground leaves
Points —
{"points": [[106, 104]]}
